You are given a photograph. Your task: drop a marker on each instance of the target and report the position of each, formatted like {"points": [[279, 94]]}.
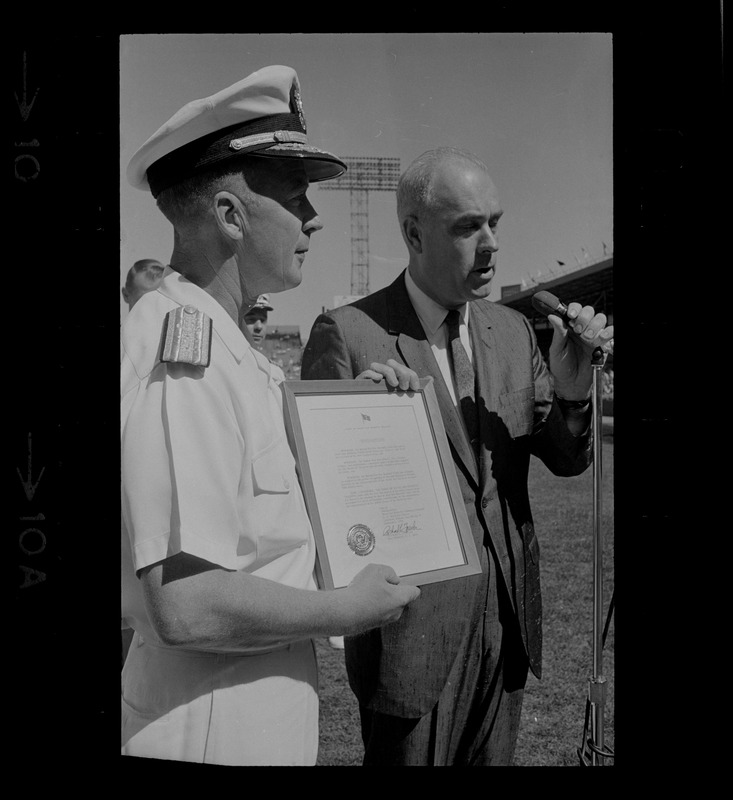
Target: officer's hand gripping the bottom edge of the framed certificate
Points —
{"points": [[375, 597]]}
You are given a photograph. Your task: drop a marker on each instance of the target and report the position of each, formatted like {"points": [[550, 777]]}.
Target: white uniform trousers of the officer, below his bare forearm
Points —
{"points": [[217, 708]]}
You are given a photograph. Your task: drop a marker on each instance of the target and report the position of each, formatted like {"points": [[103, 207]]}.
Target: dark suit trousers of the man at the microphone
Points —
{"points": [[476, 719]]}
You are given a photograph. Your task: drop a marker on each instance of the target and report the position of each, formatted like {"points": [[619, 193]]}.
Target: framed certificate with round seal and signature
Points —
{"points": [[378, 480]]}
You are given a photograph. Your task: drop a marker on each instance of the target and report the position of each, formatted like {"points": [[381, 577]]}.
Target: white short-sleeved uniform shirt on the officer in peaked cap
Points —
{"points": [[206, 467]]}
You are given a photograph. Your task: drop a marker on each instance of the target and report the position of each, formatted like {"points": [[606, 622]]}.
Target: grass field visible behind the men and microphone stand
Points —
{"points": [[554, 708]]}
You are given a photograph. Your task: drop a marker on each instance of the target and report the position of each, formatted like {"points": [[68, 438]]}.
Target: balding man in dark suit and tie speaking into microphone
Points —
{"points": [[444, 684]]}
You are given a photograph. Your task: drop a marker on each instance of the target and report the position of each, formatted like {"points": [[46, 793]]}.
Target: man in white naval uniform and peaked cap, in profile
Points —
{"points": [[217, 548]]}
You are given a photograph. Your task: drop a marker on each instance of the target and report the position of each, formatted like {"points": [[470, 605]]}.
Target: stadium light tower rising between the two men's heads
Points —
{"points": [[364, 175]]}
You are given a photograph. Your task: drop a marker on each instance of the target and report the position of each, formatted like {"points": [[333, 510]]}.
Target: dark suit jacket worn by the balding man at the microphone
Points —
{"points": [[400, 669]]}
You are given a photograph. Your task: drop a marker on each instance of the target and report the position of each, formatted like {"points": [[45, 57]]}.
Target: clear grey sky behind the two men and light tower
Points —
{"points": [[536, 108]]}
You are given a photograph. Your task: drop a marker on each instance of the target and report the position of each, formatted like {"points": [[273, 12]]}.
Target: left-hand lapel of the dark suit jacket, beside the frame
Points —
{"points": [[413, 346]]}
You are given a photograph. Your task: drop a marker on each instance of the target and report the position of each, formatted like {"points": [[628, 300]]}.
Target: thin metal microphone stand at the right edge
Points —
{"points": [[596, 702]]}
